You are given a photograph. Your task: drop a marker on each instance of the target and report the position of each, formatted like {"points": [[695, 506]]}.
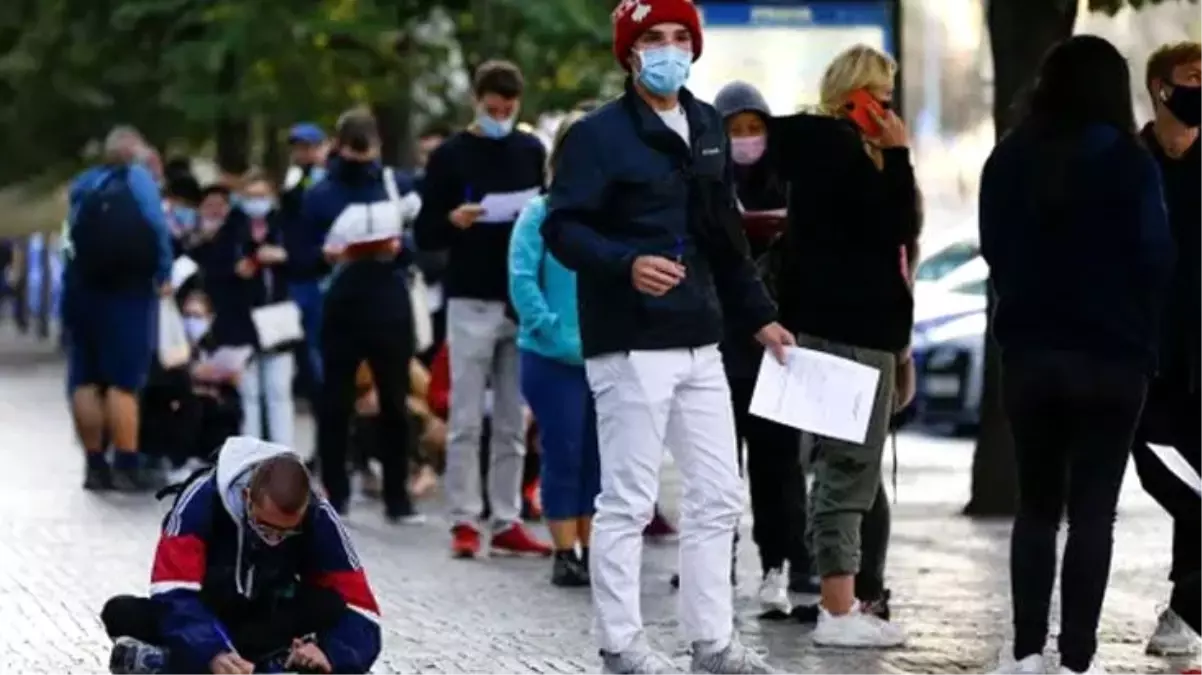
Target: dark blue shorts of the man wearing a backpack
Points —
{"points": [[111, 338]]}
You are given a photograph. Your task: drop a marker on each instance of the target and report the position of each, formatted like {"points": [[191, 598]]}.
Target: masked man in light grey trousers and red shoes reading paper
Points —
{"points": [[491, 158]]}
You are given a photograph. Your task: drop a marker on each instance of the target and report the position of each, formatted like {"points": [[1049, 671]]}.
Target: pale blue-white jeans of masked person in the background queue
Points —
{"points": [[269, 378]]}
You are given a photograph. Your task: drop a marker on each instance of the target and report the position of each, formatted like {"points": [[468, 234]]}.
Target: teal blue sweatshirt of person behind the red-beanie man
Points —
{"points": [[543, 291]]}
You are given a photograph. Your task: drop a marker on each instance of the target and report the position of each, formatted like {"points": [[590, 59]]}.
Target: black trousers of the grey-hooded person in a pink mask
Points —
{"points": [[778, 487]]}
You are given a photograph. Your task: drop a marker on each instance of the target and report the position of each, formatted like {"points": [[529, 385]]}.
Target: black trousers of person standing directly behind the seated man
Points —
{"points": [[388, 350]]}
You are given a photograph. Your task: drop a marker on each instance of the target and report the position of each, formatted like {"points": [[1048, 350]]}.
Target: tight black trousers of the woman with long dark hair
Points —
{"points": [[1074, 419]]}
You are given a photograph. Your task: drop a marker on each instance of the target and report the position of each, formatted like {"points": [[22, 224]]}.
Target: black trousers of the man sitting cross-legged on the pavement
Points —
{"points": [[313, 611]]}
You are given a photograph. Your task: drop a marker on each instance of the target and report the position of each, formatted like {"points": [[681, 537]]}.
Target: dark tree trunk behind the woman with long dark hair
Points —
{"points": [[1021, 33]]}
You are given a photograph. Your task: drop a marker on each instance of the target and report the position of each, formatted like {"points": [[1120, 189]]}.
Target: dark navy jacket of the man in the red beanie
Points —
{"points": [[628, 186]]}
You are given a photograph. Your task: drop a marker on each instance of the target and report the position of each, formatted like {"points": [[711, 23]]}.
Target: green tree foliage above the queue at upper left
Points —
{"points": [[180, 70]]}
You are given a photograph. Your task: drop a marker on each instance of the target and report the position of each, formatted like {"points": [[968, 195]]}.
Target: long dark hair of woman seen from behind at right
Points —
{"points": [[1085, 82]]}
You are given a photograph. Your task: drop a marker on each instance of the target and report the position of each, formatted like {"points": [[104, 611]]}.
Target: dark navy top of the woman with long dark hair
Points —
{"points": [[1080, 252]]}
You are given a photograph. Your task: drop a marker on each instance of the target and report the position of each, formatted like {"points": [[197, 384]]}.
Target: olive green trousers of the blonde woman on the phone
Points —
{"points": [[848, 476]]}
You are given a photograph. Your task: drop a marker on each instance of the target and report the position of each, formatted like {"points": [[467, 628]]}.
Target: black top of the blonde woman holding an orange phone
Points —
{"points": [[842, 277]]}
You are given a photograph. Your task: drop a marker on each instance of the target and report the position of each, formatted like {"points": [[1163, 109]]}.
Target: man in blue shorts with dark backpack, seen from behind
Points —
{"points": [[120, 256]]}
